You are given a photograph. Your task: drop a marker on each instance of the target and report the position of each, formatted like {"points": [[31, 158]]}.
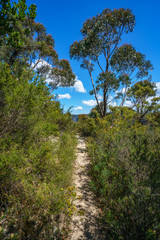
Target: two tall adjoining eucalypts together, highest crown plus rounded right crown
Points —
{"points": [[99, 48]]}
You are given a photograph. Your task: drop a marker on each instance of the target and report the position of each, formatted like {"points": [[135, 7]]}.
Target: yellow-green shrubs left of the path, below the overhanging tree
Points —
{"points": [[37, 154]]}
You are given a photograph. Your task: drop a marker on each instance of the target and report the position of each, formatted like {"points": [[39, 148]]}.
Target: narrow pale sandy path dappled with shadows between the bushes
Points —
{"points": [[86, 226]]}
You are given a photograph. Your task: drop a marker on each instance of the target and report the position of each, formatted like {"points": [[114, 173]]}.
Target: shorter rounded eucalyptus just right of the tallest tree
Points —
{"points": [[130, 66]]}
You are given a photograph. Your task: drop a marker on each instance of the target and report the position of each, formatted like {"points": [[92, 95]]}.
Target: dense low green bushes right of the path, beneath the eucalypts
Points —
{"points": [[125, 170]]}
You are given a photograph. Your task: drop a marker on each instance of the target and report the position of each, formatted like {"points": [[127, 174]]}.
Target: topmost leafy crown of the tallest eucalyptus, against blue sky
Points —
{"points": [[102, 32]]}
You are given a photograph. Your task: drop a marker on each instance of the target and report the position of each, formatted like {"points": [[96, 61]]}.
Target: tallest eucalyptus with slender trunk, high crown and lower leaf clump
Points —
{"points": [[101, 37]]}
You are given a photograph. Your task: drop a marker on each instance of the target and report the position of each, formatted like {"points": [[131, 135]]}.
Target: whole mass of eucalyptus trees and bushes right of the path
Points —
{"points": [[123, 141]]}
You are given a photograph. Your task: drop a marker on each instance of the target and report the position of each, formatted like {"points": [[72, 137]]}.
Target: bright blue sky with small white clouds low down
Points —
{"points": [[64, 19]]}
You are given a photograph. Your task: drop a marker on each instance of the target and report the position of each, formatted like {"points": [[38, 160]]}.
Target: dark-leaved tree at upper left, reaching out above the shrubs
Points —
{"points": [[25, 42]]}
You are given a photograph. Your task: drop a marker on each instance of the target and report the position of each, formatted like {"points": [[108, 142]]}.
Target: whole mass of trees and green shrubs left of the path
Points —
{"points": [[36, 138]]}
